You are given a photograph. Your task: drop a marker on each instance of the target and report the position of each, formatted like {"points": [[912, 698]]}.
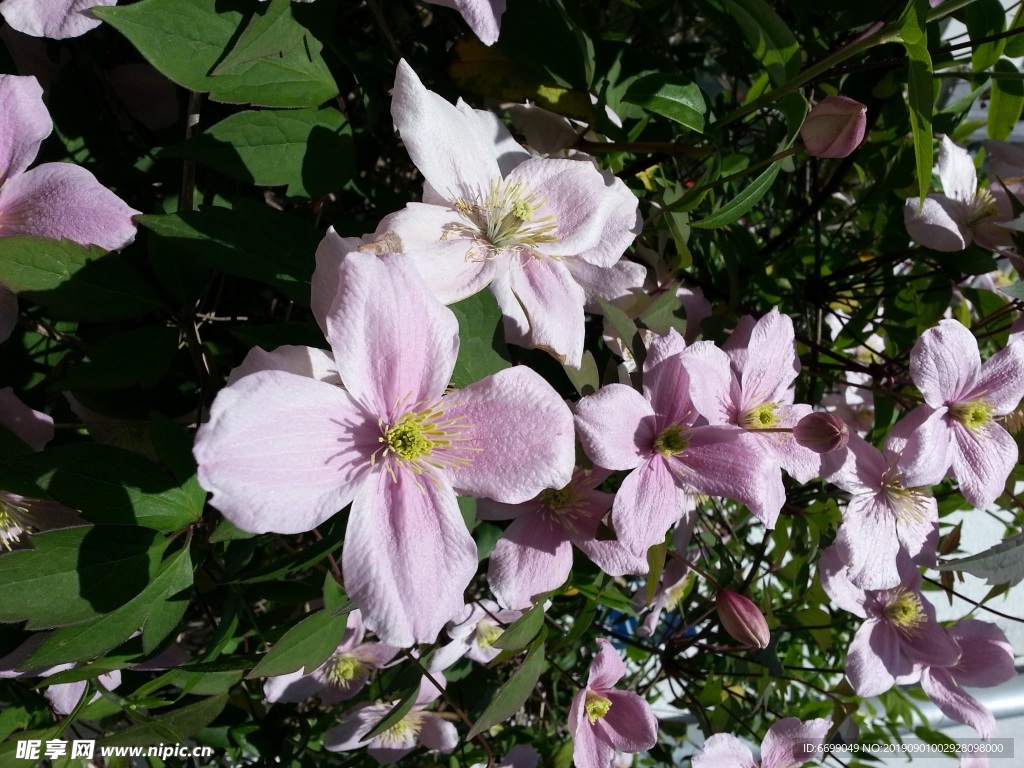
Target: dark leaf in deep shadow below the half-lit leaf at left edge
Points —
{"points": [[139, 357]]}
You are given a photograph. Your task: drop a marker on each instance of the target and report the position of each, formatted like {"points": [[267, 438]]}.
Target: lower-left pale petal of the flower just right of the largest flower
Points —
{"points": [[649, 503]]}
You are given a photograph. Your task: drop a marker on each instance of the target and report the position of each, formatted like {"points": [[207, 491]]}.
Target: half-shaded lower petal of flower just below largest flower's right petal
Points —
{"points": [[533, 558]]}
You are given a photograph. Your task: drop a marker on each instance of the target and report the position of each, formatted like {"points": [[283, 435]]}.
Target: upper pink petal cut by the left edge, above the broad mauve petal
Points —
{"points": [[26, 124]]}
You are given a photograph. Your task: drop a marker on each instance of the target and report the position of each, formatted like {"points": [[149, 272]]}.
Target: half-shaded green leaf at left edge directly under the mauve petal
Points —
{"points": [[79, 282]]}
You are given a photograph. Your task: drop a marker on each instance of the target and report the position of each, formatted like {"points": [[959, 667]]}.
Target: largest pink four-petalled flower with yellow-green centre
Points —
{"points": [[284, 452]]}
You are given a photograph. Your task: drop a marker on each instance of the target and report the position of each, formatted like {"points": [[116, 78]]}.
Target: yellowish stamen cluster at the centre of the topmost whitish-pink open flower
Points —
{"points": [[504, 220]]}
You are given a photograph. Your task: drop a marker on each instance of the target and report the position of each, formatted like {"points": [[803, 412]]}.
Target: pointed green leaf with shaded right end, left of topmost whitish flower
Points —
{"points": [[311, 151]]}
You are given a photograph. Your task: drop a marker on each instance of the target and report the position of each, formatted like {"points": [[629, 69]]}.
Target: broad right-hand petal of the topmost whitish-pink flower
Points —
{"points": [[576, 196]]}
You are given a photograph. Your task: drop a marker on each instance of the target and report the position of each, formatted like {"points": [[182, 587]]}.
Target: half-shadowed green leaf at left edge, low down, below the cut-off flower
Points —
{"points": [[74, 575]]}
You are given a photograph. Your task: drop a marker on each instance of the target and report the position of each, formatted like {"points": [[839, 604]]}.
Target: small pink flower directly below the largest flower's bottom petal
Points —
{"points": [[342, 676]]}
